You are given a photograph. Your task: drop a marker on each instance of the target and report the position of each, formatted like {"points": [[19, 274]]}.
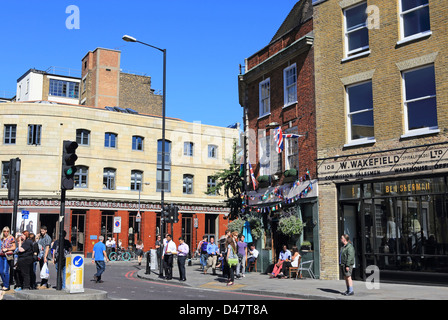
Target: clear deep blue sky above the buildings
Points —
{"points": [[206, 40]]}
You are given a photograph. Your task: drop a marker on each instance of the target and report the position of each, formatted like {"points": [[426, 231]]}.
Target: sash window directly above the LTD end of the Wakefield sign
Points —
{"points": [[420, 101]]}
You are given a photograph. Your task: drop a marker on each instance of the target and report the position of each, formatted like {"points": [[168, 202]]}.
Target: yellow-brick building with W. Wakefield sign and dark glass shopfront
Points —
{"points": [[381, 97]]}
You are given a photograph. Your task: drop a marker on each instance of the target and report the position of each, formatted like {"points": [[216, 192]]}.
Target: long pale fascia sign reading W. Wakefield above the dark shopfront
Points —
{"points": [[407, 161]]}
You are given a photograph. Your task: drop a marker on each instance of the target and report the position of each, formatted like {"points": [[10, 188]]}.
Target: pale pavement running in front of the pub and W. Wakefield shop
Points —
{"points": [[258, 283]]}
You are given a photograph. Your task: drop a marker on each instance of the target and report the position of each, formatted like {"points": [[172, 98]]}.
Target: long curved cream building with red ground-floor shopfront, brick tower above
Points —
{"points": [[118, 167]]}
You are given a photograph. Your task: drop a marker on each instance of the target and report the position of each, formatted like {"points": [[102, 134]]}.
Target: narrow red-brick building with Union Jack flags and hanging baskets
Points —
{"points": [[277, 91]]}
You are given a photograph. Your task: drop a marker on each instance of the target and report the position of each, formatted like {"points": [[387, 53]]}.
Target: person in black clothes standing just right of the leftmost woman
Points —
{"points": [[25, 261]]}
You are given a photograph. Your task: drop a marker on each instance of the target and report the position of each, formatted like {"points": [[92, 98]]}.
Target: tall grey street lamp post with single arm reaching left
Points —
{"points": [[162, 193]]}
